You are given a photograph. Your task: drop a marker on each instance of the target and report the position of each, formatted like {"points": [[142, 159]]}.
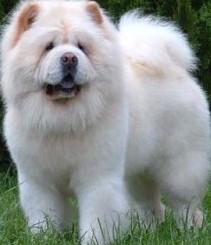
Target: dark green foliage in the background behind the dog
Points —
{"points": [[193, 16]]}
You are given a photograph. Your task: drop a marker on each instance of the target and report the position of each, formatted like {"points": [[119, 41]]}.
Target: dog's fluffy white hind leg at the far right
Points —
{"points": [[184, 183]]}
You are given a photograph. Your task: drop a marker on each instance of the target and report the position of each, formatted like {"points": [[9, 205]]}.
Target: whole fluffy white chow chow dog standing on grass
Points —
{"points": [[100, 115]]}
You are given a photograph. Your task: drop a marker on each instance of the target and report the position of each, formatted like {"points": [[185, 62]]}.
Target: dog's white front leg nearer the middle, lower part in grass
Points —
{"points": [[103, 210]]}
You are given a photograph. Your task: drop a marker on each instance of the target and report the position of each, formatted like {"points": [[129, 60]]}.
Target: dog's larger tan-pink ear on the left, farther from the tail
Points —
{"points": [[25, 18]]}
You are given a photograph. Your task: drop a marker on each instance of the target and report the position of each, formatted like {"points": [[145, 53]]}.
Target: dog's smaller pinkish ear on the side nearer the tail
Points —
{"points": [[94, 10]]}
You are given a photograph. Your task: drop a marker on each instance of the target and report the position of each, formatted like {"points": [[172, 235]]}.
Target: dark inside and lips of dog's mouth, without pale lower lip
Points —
{"points": [[66, 86]]}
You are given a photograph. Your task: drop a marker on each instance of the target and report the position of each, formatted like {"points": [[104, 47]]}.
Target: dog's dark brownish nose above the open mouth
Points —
{"points": [[69, 61]]}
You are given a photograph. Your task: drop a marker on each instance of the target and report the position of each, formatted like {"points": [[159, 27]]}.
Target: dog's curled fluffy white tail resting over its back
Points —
{"points": [[155, 43]]}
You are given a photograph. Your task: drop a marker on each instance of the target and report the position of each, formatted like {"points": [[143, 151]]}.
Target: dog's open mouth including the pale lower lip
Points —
{"points": [[67, 88]]}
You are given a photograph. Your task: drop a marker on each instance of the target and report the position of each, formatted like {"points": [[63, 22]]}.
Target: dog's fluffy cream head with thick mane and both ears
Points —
{"points": [[60, 57]]}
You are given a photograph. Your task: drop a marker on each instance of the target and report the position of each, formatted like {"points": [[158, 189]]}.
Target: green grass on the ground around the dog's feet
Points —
{"points": [[13, 229]]}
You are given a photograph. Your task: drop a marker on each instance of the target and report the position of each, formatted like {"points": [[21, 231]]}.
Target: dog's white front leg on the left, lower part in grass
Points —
{"points": [[44, 206]]}
